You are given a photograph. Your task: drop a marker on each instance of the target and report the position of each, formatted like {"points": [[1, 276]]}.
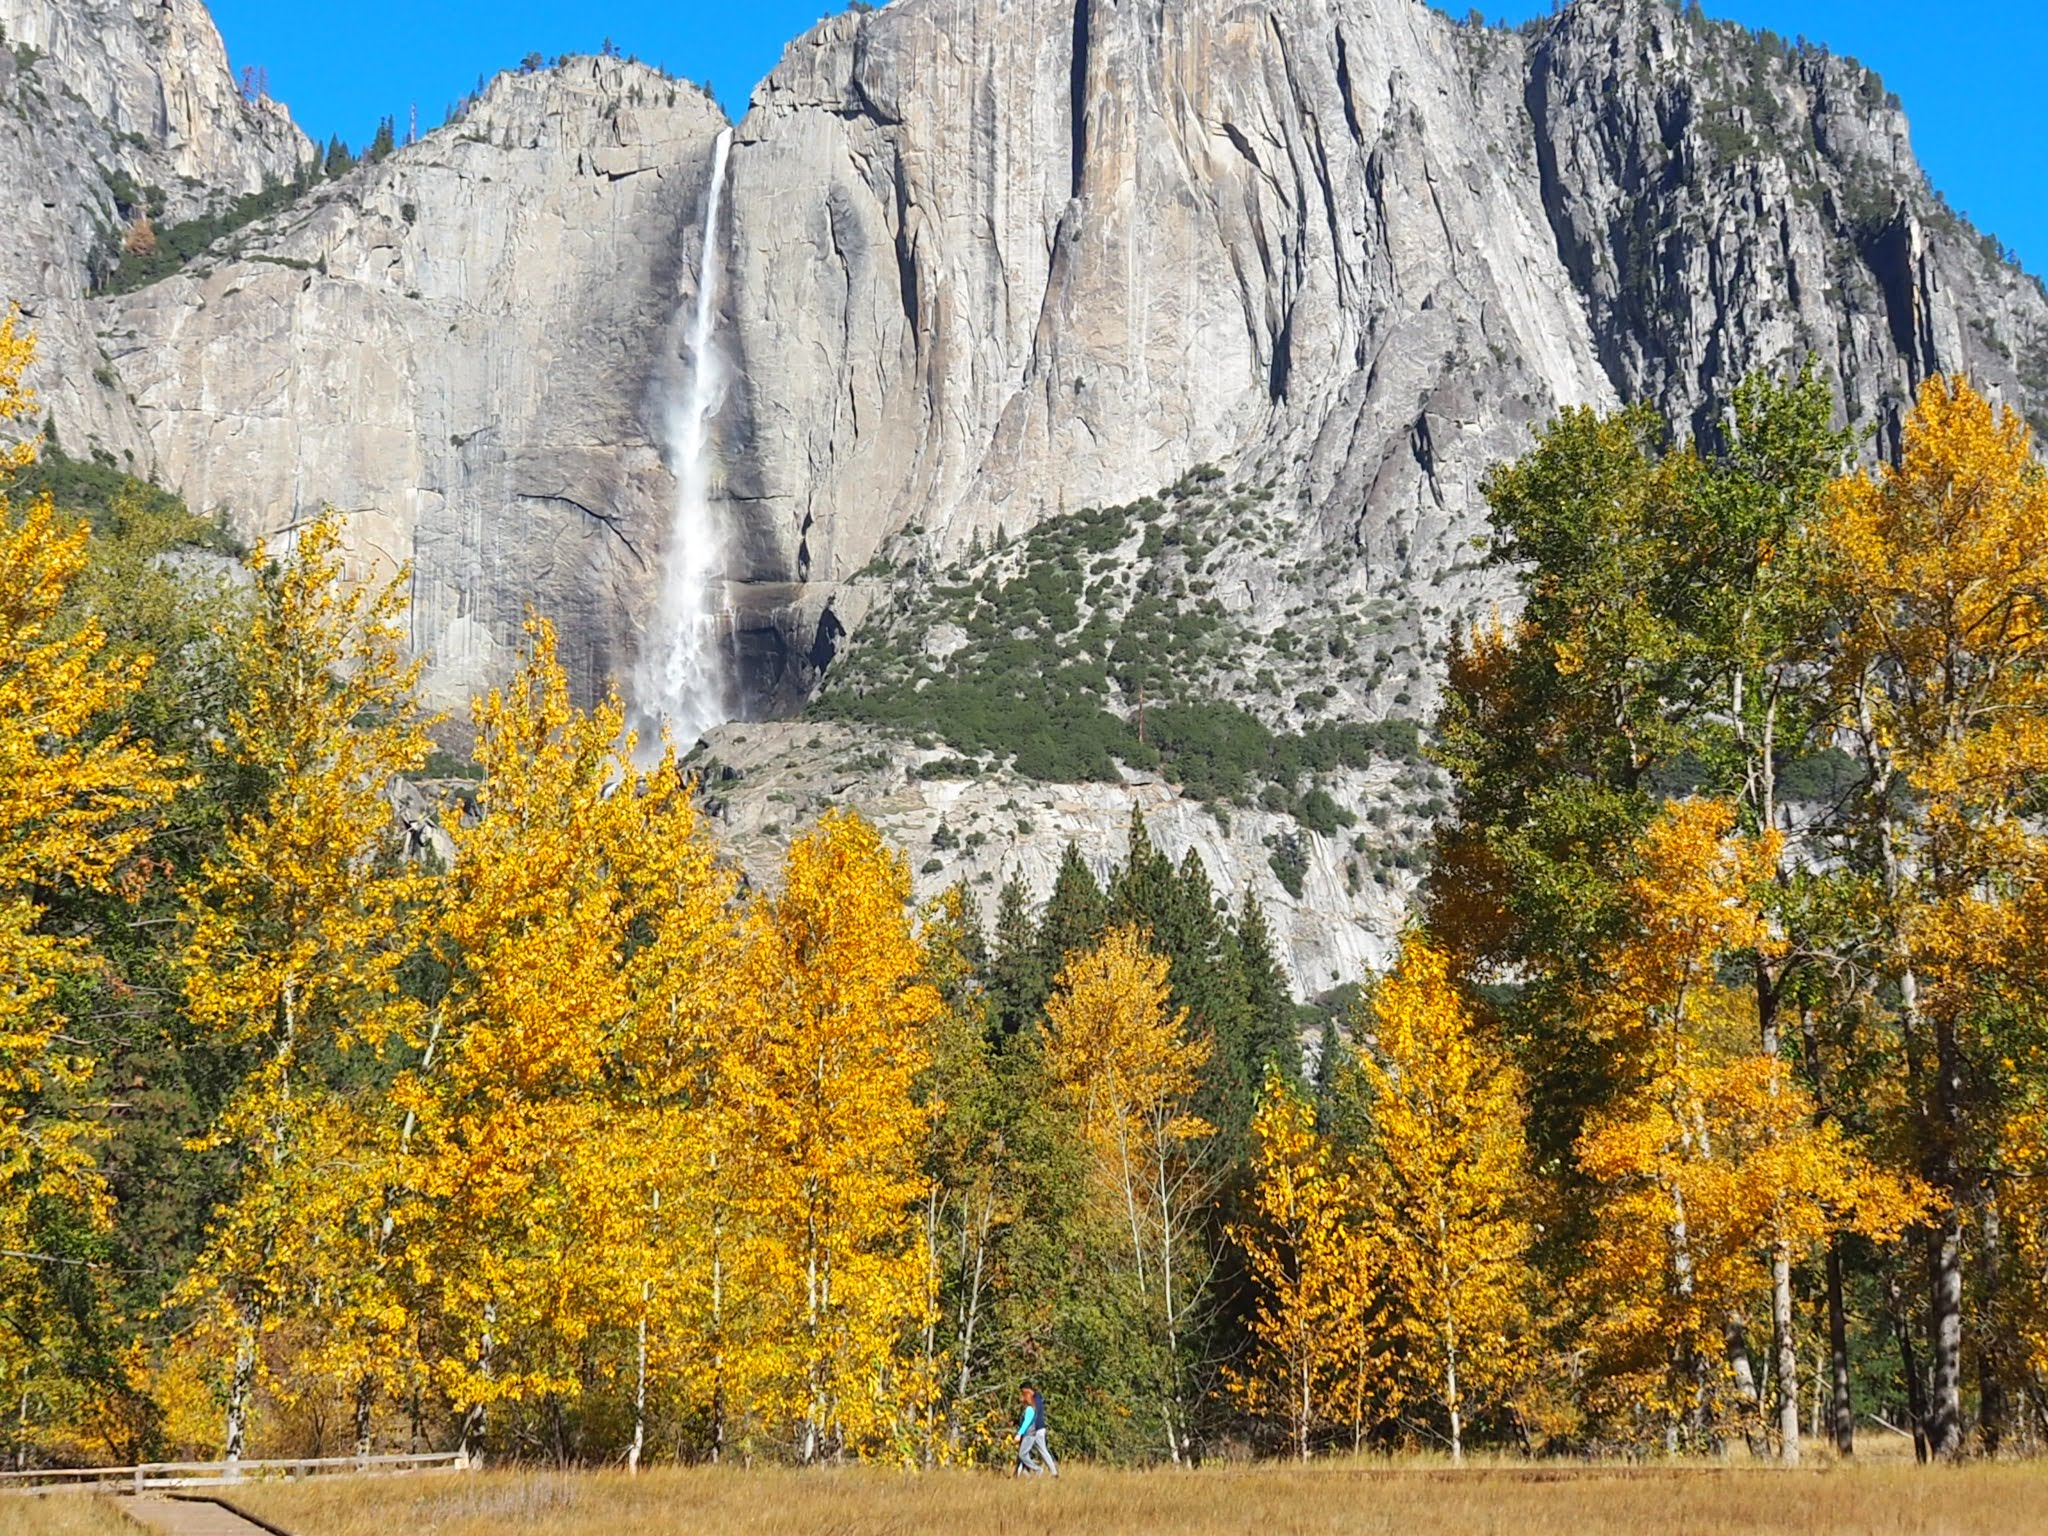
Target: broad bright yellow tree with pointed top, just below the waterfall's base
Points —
{"points": [[589, 964]]}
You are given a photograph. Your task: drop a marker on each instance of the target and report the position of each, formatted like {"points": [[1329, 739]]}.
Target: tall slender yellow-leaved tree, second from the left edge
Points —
{"points": [[300, 925]]}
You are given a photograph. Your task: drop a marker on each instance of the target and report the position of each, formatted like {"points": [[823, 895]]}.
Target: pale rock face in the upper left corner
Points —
{"points": [[101, 89]]}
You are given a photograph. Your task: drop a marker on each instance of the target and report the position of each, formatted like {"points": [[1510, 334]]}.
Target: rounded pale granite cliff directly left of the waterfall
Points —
{"points": [[456, 347]]}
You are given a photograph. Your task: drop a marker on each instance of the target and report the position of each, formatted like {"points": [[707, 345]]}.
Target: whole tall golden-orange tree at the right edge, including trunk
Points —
{"points": [[1943, 566]]}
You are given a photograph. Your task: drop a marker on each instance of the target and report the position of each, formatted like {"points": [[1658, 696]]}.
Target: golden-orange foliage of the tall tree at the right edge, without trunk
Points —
{"points": [[1945, 566]]}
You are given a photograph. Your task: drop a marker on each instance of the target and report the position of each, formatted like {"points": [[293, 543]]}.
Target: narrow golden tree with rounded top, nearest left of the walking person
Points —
{"points": [[839, 980]]}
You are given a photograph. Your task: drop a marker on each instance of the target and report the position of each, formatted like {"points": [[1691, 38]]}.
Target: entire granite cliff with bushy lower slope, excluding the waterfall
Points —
{"points": [[996, 267]]}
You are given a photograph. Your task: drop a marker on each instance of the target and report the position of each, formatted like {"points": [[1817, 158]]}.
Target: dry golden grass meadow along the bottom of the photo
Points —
{"points": [[1273, 1500]]}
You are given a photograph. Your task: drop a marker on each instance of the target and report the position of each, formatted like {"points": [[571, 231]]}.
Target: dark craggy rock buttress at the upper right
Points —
{"points": [[1725, 202]]}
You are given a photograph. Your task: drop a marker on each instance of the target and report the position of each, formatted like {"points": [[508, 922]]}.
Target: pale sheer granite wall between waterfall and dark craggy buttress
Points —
{"points": [[996, 259]]}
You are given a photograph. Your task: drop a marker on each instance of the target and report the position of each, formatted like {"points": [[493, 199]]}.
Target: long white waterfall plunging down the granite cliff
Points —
{"points": [[683, 677]]}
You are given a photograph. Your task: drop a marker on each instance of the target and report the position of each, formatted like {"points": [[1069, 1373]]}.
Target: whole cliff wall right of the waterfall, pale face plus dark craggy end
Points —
{"points": [[1007, 257]]}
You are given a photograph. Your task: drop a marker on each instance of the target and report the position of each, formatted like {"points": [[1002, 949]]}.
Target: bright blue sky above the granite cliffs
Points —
{"points": [[1971, 75]]}
